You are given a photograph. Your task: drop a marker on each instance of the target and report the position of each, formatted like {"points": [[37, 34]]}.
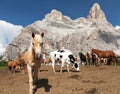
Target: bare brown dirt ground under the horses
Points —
{"points": [[90, 80]]}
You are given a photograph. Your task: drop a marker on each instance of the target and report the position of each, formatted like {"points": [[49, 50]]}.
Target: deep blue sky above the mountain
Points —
{"points": [[25, 12]]}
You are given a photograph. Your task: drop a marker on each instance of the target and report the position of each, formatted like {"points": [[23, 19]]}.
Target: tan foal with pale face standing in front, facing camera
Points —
{"points": [[33, 58]]}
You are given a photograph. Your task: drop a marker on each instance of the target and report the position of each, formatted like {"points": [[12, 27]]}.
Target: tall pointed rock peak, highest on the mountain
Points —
{"points": [[96, 13]]}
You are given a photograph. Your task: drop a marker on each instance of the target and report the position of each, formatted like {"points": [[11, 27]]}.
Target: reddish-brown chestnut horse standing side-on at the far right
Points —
{"points": [[106, 54]]}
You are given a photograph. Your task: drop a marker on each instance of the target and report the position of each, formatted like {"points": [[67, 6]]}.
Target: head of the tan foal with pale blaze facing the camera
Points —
{"points": [[37, 44]]}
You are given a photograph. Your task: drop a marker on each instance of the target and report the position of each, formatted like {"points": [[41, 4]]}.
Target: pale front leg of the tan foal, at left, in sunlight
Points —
{"points": [[30, 79]]}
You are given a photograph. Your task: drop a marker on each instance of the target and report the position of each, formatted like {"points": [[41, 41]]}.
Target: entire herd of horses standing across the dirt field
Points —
{"points": [[34, 57]]}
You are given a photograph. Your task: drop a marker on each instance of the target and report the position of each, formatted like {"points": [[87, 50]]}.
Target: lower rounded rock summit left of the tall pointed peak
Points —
{"points": [[57, 15]]}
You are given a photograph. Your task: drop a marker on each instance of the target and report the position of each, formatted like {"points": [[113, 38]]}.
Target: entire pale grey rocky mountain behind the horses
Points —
{"points": [[79, 35]]}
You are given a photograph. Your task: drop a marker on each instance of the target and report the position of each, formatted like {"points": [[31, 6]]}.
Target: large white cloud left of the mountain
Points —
{"points": [[7, 32]]}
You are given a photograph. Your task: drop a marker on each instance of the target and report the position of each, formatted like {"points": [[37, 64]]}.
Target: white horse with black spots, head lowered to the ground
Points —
{"points": [[66, 57]]}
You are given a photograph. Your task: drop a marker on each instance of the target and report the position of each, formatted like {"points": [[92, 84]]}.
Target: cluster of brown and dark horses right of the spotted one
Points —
{"points": [[98, 57]]}
